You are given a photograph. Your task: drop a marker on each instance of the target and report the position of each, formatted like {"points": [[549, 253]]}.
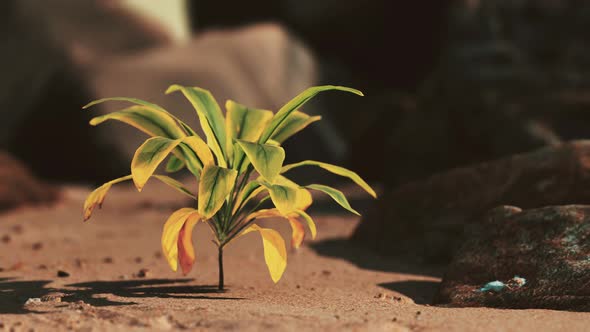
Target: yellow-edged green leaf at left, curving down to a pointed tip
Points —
{"points": [[148, 156]]}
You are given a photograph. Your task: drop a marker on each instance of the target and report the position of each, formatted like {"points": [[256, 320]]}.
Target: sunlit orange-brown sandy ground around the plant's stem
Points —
{"points": [[328, 284]]}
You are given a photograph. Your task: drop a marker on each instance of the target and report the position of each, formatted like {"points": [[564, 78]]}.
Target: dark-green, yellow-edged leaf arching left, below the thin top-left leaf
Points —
{"points": [[149, 120]]}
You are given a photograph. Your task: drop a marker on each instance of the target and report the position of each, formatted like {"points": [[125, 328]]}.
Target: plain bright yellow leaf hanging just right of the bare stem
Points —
{"points": [[275, 252]]}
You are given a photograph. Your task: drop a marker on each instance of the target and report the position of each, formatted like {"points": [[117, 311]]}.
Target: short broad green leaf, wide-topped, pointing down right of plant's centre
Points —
{"points": [[266, 159]]}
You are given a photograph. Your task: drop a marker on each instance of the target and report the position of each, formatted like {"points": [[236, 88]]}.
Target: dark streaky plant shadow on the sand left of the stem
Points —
{"points": [[14, 293]]}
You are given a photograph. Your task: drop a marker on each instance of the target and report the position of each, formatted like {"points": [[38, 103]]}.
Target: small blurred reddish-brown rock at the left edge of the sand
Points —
{"points": [[19, 187]]}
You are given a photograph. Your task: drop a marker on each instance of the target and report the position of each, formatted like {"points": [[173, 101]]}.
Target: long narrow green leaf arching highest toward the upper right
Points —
{"points": [[296, 103]]}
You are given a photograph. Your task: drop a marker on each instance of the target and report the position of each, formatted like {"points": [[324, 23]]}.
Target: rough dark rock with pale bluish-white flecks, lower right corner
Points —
{"points": [[547, 246]]}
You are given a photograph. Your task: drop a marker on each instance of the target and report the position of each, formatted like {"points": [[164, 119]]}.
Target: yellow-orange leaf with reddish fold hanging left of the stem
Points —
{"points": [[172, 240]]}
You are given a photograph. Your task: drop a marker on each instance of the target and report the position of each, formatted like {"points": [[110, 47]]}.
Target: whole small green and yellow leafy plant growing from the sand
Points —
{"points": [[239, 168]]}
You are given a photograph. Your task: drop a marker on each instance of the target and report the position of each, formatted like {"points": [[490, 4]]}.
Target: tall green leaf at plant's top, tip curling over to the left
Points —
{"points": [[210, 117]]}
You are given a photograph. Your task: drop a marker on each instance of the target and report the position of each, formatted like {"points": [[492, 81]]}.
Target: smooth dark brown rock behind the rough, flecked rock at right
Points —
{"points": [[425, 219]]}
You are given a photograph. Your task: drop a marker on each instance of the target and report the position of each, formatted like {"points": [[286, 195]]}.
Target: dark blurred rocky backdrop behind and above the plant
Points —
{"points": [[447, 83]]}
